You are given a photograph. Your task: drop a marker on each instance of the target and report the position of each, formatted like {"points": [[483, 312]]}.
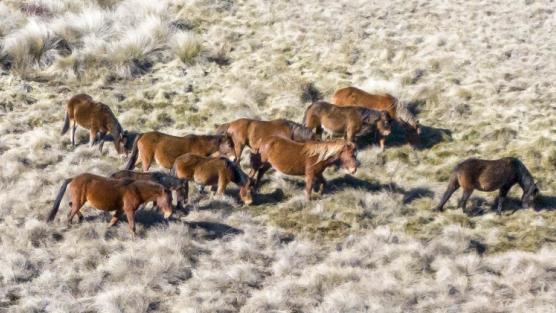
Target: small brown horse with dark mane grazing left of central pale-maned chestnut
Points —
{"points": [[213, 172]]}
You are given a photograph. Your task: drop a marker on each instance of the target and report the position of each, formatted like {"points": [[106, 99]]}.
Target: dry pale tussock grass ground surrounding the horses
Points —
{"points": [[479, 73]]}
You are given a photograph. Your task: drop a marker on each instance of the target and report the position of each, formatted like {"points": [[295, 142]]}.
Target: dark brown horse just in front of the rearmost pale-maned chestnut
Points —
{"points": [[350, 121]]}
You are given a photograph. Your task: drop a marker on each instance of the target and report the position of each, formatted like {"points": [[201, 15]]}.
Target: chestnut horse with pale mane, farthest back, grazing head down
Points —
{"points": [[352, 96]]}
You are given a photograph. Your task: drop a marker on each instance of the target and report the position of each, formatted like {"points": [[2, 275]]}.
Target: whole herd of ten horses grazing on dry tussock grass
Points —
{"points": [[286, 146]]}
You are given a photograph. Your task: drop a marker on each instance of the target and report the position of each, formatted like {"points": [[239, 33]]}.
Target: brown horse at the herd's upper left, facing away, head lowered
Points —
{"points": [[94, 116]]}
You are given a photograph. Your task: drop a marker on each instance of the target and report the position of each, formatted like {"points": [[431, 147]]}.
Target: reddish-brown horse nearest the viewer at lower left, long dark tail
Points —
{"points": [[107, 194]]}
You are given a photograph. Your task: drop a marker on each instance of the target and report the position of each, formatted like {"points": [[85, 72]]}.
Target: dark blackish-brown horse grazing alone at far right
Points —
{"points": [[490, 175]]}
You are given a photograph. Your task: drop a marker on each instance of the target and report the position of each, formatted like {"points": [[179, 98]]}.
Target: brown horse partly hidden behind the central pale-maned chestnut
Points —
{"points": [[249, 132]]}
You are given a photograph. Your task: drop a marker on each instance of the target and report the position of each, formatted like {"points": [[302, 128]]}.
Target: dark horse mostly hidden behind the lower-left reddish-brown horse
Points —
{"points": [[170, 182]]}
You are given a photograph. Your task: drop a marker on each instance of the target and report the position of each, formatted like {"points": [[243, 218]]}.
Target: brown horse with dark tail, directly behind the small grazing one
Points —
{"points": [[166, 148]]}
